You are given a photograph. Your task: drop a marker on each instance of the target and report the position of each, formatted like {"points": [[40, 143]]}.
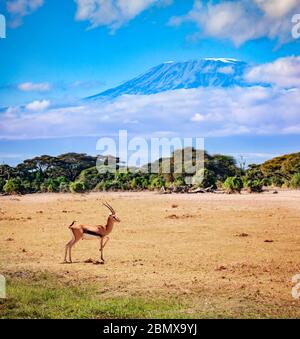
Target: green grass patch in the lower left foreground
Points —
{"points": [[46, 296]]}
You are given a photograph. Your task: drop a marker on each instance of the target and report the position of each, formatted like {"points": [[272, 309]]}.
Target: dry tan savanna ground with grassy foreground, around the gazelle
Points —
{"points": [[172, 256]]}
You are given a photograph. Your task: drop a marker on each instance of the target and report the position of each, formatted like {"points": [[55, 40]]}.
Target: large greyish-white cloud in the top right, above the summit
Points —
{"points": [[240, 21]]}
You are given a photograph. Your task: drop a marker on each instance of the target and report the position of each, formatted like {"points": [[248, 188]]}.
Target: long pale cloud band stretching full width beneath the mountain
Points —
{"points": [[186, 112]]}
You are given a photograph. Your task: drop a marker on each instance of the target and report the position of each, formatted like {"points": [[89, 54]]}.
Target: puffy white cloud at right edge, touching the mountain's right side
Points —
{"points": [[283, 72]]}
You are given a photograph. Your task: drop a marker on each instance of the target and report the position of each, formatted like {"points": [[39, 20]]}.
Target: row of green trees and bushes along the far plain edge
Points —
{"points": [[77, 173]]}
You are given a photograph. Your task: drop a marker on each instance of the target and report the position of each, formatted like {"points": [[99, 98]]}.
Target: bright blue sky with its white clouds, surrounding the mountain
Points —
{"points": [[59, 51]]}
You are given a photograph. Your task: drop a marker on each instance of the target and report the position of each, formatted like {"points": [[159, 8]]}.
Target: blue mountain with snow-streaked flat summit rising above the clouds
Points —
{"points": [[216, 72]]}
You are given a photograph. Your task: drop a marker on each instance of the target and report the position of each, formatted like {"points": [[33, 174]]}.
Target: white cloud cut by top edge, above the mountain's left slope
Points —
{"points": [[113, 13]]}
